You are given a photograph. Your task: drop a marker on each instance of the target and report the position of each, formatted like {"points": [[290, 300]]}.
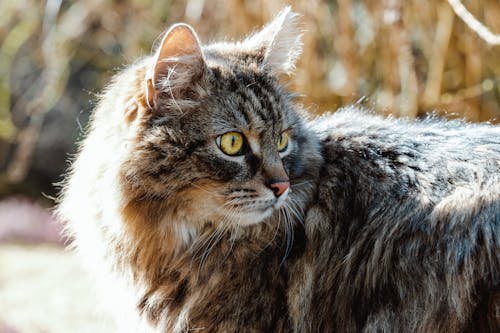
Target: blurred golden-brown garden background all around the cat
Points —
{"points": [[400, 57]]}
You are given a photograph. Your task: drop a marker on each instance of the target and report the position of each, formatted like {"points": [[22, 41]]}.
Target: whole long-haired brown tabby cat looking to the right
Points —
{"points": [[203, 198]]}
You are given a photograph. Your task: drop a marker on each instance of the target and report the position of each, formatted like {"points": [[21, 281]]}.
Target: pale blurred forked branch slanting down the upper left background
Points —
{"points": [[56, 55]]}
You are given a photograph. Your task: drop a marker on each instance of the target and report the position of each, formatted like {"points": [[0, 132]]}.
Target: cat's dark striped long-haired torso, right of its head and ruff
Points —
{"points": [[408, 218]]}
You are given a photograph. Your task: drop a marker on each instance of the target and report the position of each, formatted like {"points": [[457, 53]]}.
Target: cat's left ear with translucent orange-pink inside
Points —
{"points": [[177, 63]]}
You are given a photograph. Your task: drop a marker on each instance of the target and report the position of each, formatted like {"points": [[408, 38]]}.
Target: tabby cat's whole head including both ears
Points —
{"points": [[217, 138]]}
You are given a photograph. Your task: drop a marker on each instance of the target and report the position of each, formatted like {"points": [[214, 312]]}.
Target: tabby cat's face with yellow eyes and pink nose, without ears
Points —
{"points": [[237, 149]]}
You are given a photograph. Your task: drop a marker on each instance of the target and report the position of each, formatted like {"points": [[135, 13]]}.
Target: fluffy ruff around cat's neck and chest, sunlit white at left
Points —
{"points": [[157, 249]]}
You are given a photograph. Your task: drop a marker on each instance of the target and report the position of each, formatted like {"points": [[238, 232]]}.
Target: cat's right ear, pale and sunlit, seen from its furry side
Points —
{"points": [[280, 41]]}
